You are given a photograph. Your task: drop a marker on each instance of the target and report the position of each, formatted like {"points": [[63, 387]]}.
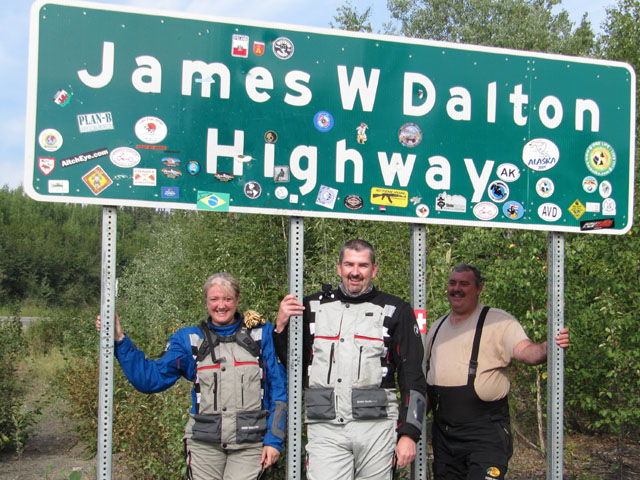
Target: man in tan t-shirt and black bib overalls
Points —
{"points": [[468, 356]]}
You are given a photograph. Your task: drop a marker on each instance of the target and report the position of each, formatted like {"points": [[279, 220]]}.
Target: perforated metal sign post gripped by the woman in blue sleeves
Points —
{"points": [[107, 317]]}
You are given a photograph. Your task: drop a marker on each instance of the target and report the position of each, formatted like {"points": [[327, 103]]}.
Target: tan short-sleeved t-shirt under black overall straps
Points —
{"points": [[452, 351]]}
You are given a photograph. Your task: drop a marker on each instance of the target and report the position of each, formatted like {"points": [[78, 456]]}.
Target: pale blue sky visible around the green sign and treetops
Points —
{"points": [[14, 41]]}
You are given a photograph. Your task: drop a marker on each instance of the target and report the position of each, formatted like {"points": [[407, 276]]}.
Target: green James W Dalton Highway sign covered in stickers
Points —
{"points": [[173, 110]]}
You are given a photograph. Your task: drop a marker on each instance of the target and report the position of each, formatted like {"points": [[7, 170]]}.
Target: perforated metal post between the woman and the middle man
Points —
{"points": [[294, 363]]}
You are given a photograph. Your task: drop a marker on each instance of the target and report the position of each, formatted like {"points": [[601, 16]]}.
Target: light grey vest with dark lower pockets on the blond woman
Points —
{"points": [[228, 388]]}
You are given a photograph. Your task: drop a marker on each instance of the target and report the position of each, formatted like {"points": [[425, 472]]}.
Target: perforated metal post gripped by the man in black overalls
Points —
{"points": [[555, 356]]}
